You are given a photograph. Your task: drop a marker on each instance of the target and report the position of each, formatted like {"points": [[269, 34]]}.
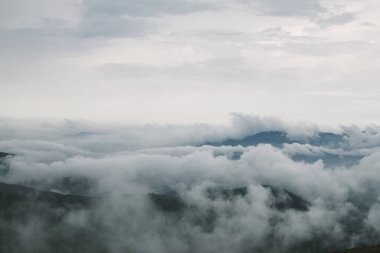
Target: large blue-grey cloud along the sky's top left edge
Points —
{"points": [[78, 20]]}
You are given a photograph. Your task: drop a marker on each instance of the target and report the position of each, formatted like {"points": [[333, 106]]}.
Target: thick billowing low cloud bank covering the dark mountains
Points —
{"points": [[121, 165]]}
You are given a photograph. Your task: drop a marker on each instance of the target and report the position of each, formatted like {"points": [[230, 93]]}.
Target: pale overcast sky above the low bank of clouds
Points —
{"points": [[182, 61]]}
